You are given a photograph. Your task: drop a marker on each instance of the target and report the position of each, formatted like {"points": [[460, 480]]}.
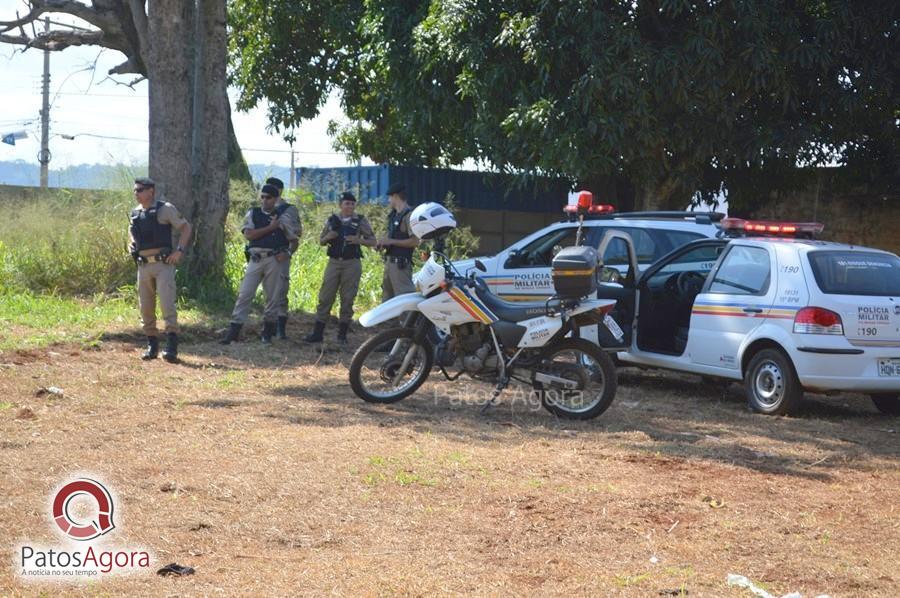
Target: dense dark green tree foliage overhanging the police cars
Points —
{"points": [[674, 96]]}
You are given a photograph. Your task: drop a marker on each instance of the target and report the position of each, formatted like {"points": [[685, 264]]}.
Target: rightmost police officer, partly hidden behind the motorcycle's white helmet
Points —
{"points": [[398, 245]]}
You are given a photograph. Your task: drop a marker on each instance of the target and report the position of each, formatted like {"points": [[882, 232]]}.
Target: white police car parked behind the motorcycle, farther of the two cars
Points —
{"points": [[521, 272]]}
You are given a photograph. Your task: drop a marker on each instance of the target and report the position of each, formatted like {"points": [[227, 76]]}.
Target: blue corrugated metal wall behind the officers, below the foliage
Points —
{"points": [[473, 190]]}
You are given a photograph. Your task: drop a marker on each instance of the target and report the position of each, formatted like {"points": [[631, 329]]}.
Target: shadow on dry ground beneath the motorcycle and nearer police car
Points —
{"points": [[668, 416]]}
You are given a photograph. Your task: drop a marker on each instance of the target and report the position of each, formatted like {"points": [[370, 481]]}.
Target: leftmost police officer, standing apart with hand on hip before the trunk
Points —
{"points": [[152, 223]]}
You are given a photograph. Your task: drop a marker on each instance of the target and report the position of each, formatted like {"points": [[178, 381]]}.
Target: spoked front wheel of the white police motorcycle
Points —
{"points": [[390, 366]]}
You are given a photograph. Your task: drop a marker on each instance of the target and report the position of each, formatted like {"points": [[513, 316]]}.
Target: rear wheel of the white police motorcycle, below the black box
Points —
{"points": [[575, 379]]}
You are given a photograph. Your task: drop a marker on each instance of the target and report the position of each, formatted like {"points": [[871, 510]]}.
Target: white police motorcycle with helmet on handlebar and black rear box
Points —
{"points": [[453, 321]]}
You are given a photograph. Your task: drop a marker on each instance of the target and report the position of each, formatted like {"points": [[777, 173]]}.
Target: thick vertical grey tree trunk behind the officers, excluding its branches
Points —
{"points": [[188, 123]]}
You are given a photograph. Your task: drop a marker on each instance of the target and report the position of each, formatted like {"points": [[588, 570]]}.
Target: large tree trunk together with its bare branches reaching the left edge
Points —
{"points": [[180, 47]]}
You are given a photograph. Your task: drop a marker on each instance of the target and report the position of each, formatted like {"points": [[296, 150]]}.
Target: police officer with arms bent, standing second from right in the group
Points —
{"points": [[344, 234]]}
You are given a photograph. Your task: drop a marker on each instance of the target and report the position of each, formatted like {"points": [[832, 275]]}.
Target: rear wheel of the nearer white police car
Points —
{"points": [[771, 384]]}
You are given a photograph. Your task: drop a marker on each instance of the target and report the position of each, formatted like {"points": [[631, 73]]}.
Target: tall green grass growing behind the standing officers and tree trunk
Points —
{"points": [[76, 245]]}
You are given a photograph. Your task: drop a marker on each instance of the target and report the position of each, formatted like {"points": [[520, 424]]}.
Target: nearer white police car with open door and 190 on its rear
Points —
{"points": [[778, 310]]}
